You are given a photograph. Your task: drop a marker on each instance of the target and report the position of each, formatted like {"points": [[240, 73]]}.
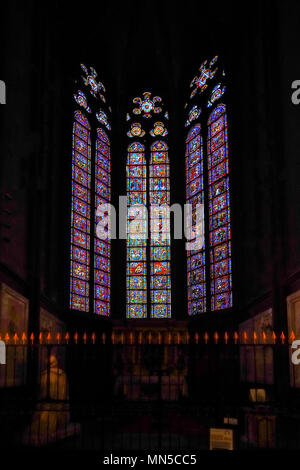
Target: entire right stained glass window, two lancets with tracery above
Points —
{"points": [[207, 183]]}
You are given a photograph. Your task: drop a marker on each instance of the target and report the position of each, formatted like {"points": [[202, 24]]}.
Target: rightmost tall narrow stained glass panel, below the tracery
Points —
{"points": [[219, 210]]}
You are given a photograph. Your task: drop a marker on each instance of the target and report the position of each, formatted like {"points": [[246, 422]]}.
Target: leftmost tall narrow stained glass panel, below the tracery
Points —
{"points": [[80, 213]]}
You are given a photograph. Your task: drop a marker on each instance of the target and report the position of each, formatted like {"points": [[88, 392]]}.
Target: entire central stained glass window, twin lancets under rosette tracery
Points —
{"points": [[148, 197]]}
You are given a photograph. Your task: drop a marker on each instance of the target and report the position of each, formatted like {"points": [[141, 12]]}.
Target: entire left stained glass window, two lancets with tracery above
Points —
{"points": [[90, 255]]}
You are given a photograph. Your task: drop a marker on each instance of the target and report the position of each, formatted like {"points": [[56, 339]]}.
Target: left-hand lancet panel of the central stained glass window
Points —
{"points": [[137, 231]]}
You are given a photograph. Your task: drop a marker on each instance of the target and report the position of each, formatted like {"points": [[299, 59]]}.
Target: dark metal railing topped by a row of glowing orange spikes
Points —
{"points": [[152, 390]]}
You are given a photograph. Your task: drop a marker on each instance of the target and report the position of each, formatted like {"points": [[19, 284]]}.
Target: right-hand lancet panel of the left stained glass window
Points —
{"points": [[102, 245]]}
